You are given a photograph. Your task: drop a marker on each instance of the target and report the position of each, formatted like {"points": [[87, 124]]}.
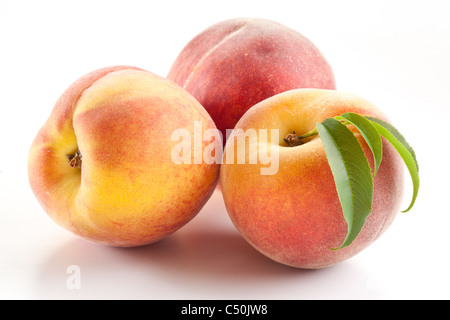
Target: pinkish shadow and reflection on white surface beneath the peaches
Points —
{"points": [[207, 259]]}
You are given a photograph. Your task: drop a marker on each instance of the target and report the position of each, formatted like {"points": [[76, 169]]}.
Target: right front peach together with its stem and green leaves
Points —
{"points": [[339, 184]]}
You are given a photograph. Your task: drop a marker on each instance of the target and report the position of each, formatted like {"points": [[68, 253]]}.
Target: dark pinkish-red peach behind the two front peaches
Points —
{"points": [[237, 63]]}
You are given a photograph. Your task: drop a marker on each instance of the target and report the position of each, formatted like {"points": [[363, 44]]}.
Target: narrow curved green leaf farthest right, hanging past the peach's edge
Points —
{"points": [[408, 155]]}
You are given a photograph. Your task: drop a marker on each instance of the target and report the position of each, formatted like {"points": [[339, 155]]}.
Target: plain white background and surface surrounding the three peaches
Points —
{"points": [[394, 53]]}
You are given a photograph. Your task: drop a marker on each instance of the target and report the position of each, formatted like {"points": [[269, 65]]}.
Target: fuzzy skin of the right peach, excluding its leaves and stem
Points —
{"points": [[294, 217]]}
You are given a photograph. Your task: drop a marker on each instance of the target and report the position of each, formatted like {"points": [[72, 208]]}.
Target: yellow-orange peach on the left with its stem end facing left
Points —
{"points": [[101, 165]]}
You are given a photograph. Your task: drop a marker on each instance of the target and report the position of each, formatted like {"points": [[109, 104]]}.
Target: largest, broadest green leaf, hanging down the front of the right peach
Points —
{"points": [[352, 175]]}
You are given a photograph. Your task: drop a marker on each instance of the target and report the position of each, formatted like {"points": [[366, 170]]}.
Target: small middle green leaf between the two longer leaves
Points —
{"points": [[369, 133]]}
